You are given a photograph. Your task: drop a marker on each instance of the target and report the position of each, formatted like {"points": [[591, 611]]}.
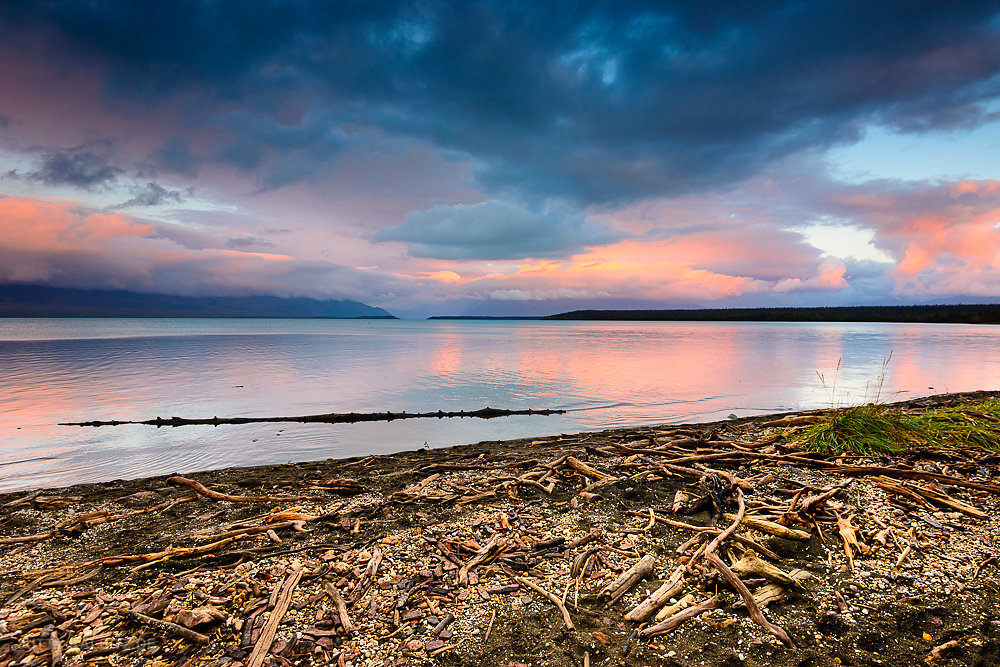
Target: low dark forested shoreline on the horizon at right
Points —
{"points": [[942, 313]]}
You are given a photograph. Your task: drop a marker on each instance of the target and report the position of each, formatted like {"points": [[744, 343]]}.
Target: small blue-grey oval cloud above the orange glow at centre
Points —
{"points": [[497, 230]]}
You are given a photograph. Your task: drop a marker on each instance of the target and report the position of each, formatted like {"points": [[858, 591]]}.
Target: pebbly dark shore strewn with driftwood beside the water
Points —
{"points": [[437, 555]]}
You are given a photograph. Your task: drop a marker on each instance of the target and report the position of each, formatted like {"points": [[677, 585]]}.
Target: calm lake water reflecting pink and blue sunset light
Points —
{"points": [[606, 374]]}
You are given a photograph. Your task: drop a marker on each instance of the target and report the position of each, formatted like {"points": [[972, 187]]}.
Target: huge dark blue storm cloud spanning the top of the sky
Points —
{"points": [[599, 102]]}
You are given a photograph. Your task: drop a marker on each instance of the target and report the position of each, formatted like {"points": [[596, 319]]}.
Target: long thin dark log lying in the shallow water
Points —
{"points": [[330, 418]]}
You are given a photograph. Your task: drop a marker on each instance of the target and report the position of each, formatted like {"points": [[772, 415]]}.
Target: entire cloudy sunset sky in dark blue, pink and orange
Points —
{"points": [[505, 158]]}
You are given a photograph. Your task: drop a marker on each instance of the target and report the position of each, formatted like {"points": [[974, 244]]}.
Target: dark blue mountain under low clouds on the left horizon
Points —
{"points": [[38, 301]]}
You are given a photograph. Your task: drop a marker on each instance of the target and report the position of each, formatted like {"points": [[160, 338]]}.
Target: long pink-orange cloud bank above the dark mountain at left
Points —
{"points": [[64, 245]]}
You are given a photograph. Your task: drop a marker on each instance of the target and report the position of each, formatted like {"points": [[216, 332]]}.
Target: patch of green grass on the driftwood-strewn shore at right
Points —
{"points": [[873, 429]]}
